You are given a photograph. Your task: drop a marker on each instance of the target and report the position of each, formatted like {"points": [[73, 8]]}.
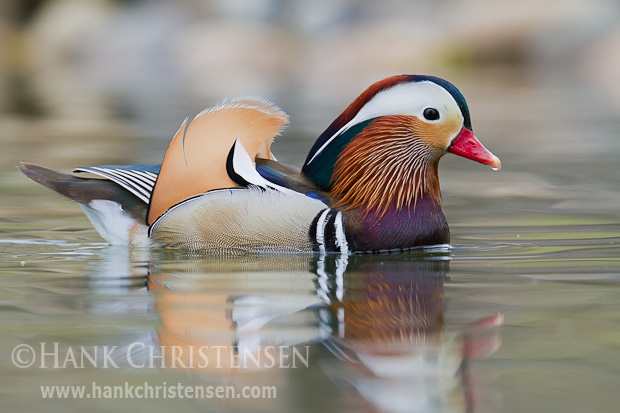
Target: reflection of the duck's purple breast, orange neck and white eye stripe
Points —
{"points": [[389, 333]]}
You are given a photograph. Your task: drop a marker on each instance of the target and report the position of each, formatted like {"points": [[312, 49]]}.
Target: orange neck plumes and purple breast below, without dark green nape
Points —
{"points": [[389, 194]]}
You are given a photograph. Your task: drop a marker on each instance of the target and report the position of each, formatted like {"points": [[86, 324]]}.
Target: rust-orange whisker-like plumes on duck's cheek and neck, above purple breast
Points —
{"points": [[390, 163]]}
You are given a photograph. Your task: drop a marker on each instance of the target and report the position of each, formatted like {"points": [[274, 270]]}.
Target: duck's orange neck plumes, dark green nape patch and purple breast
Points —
{"points": [[383, 176]]}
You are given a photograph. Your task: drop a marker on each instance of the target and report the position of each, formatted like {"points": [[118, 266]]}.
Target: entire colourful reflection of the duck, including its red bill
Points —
{"points": [[380, 317]]}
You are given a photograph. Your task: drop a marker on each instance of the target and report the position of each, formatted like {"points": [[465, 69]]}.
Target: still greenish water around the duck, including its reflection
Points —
{"points": [[522, 314]]}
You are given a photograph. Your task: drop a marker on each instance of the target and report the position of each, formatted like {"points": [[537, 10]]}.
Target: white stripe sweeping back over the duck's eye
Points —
{"points": [[403, 99]]}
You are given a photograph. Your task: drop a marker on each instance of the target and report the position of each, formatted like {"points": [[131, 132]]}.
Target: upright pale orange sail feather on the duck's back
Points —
{"points": [[195, 161]]}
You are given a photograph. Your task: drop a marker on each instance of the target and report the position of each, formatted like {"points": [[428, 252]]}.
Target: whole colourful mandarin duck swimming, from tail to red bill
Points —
{"points": [[369, 183]]}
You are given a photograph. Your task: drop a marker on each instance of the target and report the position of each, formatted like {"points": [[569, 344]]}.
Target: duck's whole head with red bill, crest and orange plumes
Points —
{"points": [[382, 152]]}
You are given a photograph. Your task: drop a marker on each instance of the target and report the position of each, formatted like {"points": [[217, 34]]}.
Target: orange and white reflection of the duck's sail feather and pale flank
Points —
{"points": [[232, 314]]}
